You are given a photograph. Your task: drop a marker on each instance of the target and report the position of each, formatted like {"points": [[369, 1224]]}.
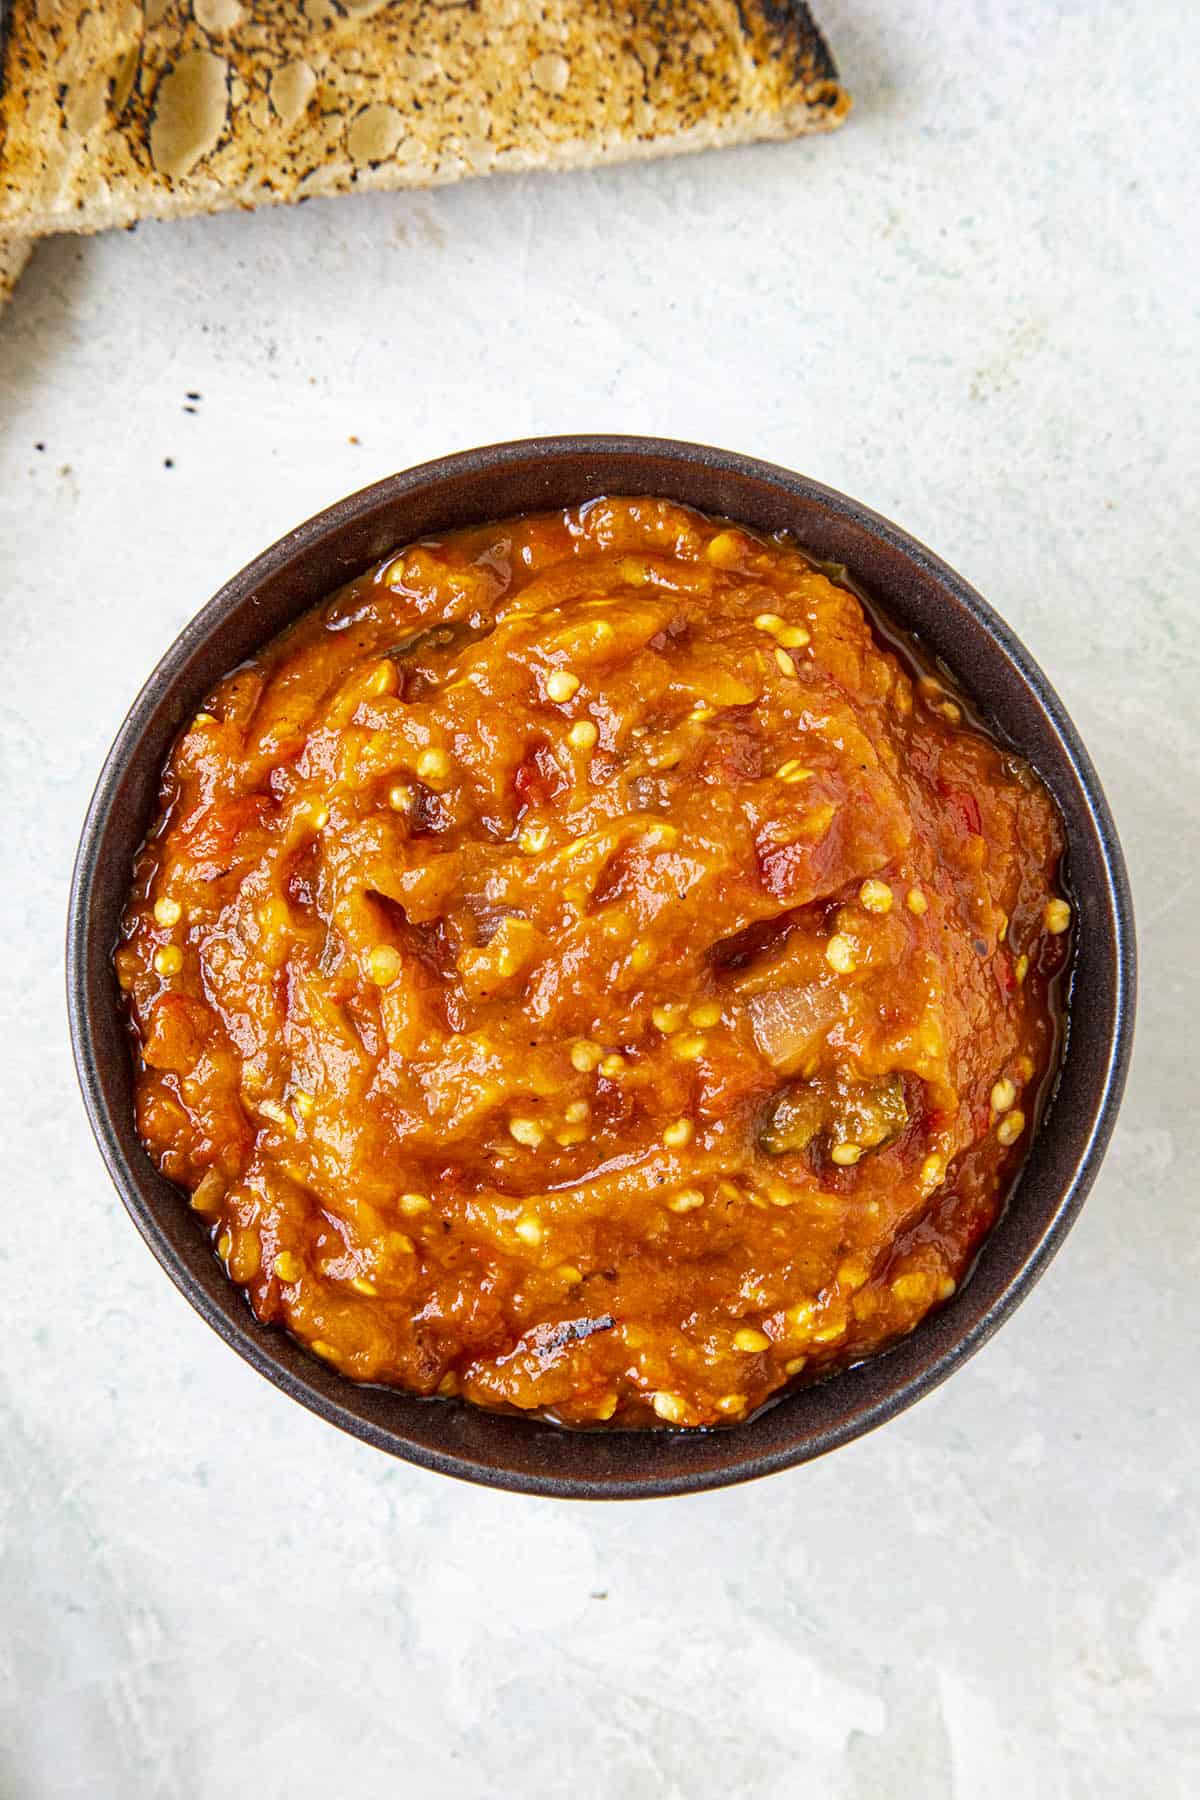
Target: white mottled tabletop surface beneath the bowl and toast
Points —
{"points": [[971, 309]]}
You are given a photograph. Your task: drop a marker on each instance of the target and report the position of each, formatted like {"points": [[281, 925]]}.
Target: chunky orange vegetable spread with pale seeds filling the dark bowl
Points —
{"points": [[589, 969]]}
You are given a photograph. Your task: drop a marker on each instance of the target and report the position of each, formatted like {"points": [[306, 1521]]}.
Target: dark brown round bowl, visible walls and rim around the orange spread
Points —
{"points": [[924, 597]]}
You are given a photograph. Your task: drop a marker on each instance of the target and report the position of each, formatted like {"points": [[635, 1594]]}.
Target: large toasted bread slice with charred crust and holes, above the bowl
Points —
{"points": [[114, 111]]}
